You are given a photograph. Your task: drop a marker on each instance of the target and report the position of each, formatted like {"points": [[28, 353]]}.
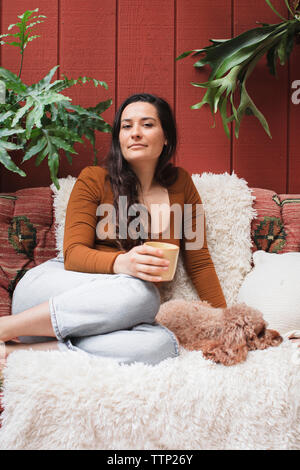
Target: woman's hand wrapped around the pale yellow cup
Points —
{"points": [[143, 261]]}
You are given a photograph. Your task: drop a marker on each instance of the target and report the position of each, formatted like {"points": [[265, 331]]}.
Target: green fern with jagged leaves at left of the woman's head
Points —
{"points": [[38, 118]]}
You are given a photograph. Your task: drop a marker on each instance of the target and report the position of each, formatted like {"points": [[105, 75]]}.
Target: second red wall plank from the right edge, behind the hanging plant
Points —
{"points": [[257, 158]]}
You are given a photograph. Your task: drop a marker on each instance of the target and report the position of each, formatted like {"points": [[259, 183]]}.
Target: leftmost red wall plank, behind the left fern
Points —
{"points": [[39, 57]]}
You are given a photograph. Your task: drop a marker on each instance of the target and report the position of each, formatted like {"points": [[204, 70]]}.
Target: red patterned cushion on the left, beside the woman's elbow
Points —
{"points": [[27, 237]]}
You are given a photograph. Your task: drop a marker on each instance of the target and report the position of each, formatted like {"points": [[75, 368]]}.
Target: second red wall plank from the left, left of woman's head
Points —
{"points": [[87, 48]]}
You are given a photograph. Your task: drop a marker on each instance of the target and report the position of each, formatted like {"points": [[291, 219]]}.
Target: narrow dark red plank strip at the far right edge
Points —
{"points": [[294, 124]]}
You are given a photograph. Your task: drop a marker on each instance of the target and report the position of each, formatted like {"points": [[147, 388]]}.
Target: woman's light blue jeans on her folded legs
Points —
{"points": [[108, 315]]}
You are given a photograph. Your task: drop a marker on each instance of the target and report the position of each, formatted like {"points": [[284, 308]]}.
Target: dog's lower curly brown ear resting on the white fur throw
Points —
{"points": [[218, 352]]}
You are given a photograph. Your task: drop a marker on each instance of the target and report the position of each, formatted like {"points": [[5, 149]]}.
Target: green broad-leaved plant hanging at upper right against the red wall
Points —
{"points": [[233, 60]]}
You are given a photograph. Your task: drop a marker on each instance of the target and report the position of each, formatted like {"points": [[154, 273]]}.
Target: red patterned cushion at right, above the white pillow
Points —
{"points": [[276, 228]]}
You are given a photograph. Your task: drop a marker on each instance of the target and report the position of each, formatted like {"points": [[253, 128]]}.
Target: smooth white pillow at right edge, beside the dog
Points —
{"points": [[273, 287]]}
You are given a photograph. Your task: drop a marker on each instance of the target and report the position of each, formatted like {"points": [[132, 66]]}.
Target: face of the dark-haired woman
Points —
{"points": [[141, 134]]}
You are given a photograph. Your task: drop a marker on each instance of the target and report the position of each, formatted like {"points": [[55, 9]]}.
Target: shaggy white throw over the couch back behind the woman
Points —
{"points": [[227, 202]]}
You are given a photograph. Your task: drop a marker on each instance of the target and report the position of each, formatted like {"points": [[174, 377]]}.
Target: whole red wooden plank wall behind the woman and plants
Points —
{"points": [[131, 44]]}
